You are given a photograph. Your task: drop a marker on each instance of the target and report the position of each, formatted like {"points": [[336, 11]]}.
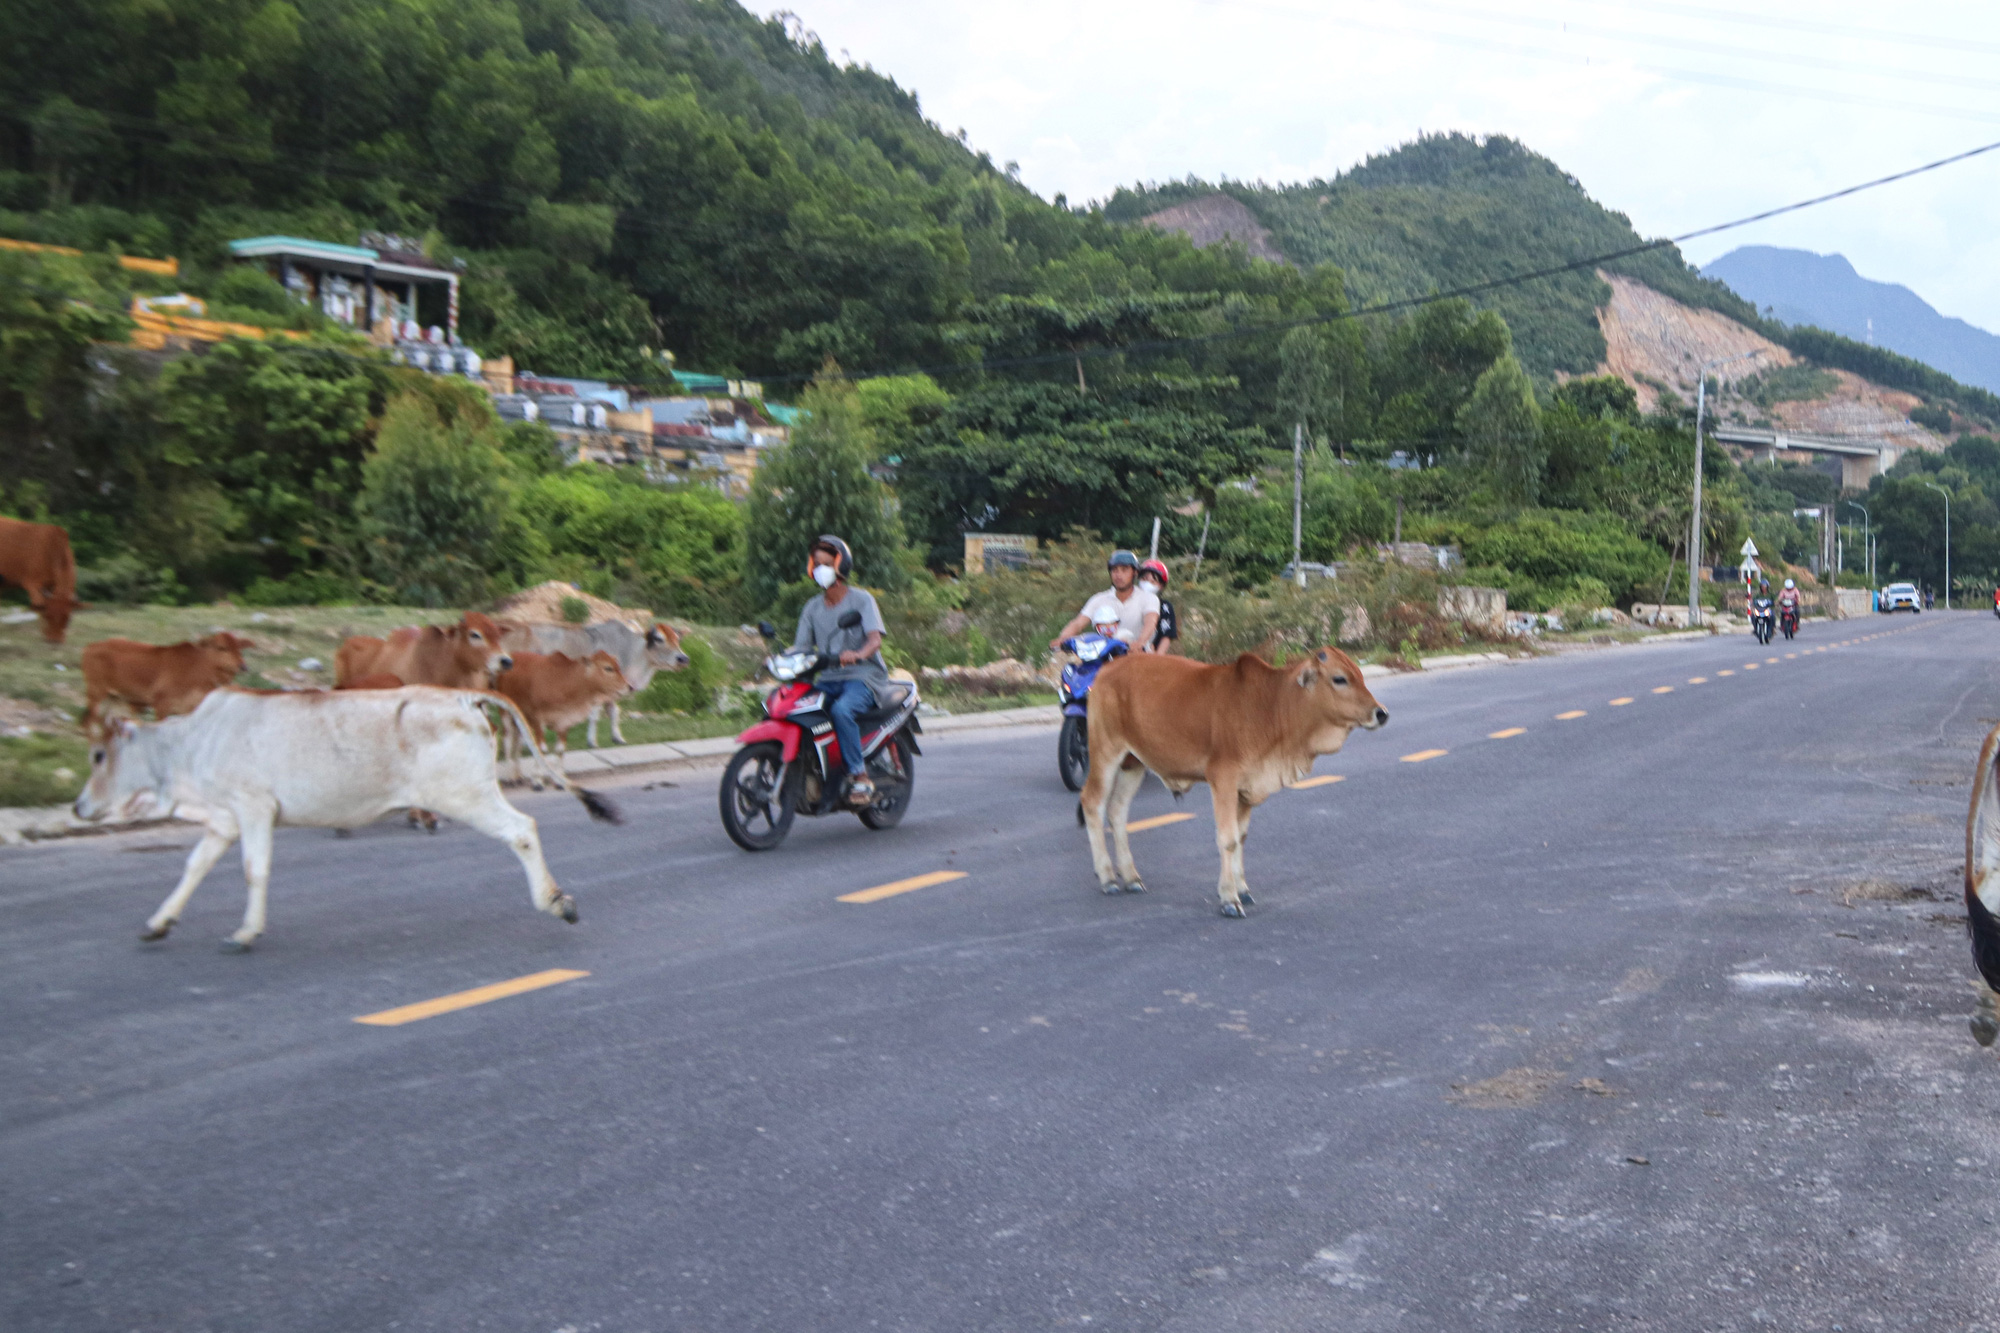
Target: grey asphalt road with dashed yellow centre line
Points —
{"points": [[1643, 1020]]}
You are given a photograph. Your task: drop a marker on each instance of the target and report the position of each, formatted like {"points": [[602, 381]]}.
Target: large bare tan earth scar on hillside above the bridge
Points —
{"points": [[1653, 341]]}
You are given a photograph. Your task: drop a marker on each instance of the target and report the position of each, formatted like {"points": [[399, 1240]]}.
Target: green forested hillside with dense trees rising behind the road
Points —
{"points": [[627, 177]]}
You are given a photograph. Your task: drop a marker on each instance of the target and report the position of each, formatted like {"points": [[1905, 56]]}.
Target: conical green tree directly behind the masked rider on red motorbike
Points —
{"points": [[817, 483]]}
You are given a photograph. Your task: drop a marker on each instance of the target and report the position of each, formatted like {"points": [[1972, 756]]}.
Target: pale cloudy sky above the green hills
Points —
{"points": [[1675, 113]]}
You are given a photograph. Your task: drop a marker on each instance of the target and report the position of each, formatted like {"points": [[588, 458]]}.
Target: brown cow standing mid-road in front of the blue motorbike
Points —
{"points": [[1247, 730]]}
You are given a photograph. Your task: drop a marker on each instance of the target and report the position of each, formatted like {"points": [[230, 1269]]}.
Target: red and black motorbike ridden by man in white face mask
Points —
{"points": [[791, 762]]}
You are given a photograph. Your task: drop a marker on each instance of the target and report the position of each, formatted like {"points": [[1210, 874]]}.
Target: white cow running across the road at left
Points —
{"points": [[329, 760]]}
